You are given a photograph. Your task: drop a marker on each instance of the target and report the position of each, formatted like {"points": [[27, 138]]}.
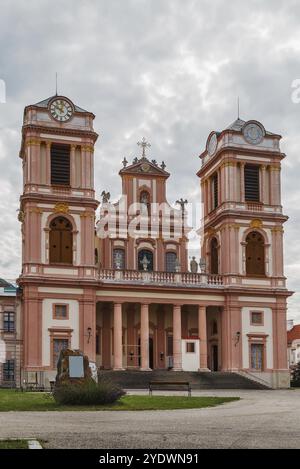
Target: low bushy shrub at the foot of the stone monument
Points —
{"points": [[87, 393]]}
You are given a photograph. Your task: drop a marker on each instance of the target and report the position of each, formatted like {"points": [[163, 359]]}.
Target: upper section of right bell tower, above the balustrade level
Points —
{"points": [[240, 187]]}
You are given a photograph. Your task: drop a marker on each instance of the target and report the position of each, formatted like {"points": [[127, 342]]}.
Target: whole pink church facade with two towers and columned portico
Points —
{"points": [[119, 286]]}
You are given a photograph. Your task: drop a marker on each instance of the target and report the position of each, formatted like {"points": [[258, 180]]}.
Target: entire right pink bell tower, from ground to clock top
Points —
{"points": [[242, 241]]}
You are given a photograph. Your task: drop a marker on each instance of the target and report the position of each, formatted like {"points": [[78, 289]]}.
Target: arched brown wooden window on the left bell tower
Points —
{"points": [[61, 241]]}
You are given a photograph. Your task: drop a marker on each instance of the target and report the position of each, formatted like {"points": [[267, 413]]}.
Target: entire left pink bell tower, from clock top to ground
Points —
{"points": [[57, 212]]}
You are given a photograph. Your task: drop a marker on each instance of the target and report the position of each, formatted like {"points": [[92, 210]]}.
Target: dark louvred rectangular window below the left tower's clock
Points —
{"points": [[60, 164]]}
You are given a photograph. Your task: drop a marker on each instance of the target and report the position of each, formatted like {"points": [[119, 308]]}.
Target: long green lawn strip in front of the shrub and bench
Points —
{"points": [[11, 400]]}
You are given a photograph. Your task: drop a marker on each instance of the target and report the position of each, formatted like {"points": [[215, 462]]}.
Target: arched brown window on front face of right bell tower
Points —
{"points": [[255, 254]]}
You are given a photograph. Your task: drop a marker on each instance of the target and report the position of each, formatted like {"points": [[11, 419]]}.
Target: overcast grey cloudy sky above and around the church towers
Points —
{"points": [[169, 70]]}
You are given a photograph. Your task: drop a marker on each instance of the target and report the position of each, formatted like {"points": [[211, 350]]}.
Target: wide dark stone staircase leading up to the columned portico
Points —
{"points": [[135, 379]]}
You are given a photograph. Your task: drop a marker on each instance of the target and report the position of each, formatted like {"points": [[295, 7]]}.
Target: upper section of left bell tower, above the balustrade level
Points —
{"points": [[58, 202]]}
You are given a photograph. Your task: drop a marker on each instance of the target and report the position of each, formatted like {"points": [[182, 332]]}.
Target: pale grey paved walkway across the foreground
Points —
{"points": [[261, 419]]}
